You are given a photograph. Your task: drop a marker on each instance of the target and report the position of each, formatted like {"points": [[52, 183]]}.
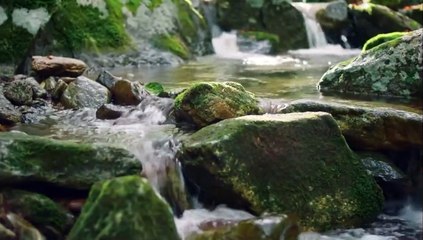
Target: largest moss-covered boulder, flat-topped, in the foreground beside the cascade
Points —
{"points": [[296, 163]]}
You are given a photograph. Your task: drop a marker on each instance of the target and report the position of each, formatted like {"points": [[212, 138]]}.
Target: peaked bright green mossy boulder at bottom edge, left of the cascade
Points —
{"points": [[124, 208]]}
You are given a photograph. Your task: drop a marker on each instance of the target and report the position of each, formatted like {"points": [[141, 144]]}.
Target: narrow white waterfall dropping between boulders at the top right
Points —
{"points": [[316, 36]]}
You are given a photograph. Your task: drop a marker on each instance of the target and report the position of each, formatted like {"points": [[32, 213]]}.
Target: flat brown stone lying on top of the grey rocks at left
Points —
{"points": [[57, 66]]}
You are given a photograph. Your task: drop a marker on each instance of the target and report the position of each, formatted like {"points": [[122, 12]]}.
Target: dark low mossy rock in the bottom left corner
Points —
{"points": [[39, 210]]}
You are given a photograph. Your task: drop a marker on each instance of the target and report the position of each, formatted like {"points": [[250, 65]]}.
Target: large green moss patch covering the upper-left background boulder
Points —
{"points": [[83, 27]]}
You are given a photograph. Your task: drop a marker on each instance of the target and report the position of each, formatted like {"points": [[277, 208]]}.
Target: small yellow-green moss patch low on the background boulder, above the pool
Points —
{"points": [[173, 44]]}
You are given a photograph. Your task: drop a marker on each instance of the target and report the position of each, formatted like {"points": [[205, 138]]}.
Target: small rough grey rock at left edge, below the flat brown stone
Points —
{"points": [[19, 92]]}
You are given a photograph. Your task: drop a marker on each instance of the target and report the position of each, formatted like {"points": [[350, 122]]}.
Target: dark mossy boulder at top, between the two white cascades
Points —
{"points": [[273, 17]]}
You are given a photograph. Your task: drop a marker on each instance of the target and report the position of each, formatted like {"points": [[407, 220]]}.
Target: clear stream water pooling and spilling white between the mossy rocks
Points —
{"points": [[149, 133]]}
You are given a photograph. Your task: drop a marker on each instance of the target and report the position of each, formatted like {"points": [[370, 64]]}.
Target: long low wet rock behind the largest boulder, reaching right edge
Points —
{"points": [[369, 128]]}
